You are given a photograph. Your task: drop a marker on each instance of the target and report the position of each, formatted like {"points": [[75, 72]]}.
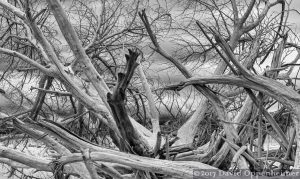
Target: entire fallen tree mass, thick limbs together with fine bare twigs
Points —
{"points": [[236, 97]]}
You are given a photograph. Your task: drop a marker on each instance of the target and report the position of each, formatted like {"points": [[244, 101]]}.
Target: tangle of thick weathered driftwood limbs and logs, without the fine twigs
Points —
{"points": [[131, 137]]}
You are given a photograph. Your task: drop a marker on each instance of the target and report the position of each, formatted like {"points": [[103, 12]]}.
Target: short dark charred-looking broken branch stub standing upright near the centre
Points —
{"points": [[131, 140]]}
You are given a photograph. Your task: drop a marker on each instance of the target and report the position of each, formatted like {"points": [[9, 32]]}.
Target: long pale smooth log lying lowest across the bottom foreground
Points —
{"points": [[178, 169]]}
